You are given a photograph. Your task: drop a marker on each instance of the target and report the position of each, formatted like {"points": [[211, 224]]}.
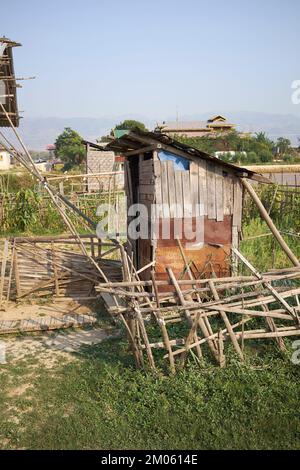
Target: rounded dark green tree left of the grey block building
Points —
{"points": [[69, 148]]}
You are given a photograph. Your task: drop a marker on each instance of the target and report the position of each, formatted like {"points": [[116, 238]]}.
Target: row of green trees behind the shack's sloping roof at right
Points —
{"points": [[248, 149]]}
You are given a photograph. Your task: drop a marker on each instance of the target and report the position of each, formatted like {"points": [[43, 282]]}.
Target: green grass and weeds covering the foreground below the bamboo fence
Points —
{"points": [[101, 402]]}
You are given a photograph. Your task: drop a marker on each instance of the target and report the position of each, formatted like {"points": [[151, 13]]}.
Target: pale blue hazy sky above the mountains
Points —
{"points": [[95, 58]]}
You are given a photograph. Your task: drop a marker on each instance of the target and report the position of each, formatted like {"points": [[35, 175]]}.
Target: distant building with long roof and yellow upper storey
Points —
{"points": [[211, 127]]}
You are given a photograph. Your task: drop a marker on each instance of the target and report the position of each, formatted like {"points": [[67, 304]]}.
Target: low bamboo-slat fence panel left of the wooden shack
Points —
{"points": [[55, 266]]}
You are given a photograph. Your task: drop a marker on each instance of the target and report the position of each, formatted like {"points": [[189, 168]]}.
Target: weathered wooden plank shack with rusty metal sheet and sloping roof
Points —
{"points": [[180, 182]]}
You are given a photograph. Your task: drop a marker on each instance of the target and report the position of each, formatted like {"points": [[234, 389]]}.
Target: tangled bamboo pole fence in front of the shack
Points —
{"points": [[211, 312]]}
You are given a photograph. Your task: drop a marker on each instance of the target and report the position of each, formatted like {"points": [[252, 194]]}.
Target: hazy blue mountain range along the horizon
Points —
{"points": [[39, 132]]}
